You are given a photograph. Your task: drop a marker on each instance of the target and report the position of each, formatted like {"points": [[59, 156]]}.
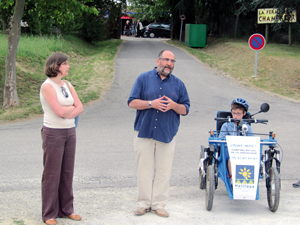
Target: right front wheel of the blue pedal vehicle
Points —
{"points": [[273, 189]]}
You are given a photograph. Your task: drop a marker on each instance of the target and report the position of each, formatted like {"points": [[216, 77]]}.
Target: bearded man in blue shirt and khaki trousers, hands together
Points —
{"points": [[160, 98]]}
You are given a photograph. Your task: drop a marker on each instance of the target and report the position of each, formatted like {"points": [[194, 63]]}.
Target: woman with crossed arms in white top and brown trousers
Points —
{"points": [[60, 105]]}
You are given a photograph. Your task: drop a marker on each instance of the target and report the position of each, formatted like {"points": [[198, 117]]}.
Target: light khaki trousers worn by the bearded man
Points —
{"points": [[154, 163]]}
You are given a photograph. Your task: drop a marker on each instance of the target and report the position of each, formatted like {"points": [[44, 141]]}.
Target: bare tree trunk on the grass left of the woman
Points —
{"points": [[10, 96]]}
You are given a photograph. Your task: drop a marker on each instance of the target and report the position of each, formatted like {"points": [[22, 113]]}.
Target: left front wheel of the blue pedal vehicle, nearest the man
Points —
{"points": [[210, 187]]}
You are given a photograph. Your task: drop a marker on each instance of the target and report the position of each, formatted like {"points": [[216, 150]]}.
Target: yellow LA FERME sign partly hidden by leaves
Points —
{"points": [[268, 15]]}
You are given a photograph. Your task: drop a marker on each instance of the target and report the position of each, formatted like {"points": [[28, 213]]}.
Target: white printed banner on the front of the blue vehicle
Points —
{"points": [[244, 153]]}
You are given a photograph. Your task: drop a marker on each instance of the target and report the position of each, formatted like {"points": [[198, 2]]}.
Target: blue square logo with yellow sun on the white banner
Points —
{"points": [[244, 174]]}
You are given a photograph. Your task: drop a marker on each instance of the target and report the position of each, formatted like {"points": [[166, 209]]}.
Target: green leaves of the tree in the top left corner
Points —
{"points": [[43, 15]]}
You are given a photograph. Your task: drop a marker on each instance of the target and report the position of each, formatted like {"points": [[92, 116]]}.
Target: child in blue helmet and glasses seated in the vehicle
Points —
{"points": [[239, 108]]}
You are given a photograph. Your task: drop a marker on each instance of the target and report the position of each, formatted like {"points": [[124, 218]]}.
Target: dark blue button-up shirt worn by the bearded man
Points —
{"points": [[152, 123]]}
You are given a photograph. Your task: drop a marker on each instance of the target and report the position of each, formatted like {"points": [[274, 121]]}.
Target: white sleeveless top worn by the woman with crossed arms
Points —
{"points": [[52, 120]]}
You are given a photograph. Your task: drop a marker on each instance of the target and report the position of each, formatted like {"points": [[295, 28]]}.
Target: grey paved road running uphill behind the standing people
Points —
{"points": [[105, 172]]}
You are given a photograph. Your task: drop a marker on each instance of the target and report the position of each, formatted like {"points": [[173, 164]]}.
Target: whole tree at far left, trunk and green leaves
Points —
{"points": [[39, 13]]}
